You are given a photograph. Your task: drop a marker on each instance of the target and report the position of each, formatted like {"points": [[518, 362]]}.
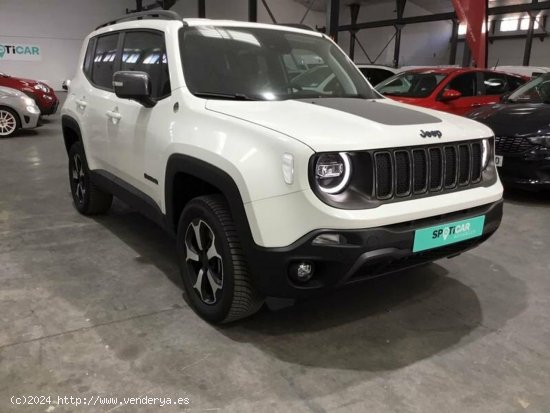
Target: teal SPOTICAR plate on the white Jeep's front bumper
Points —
{"points": [[441, 235]]}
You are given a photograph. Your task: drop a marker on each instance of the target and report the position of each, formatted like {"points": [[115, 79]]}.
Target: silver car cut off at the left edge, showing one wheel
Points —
{"points": [[17, 111]]}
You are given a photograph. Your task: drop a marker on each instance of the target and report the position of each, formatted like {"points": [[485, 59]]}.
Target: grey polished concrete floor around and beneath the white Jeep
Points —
{"points": [[93, 307]]}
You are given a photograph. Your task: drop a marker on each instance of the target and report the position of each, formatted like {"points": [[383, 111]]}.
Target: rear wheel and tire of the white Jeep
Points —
{"points": [[88, 198]]}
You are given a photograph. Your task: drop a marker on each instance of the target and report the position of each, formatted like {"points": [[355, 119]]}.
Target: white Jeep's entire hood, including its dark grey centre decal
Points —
{"points": [[345, 124]]}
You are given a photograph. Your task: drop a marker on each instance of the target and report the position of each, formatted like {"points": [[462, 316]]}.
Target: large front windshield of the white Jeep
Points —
{"points": [[267, 64]]}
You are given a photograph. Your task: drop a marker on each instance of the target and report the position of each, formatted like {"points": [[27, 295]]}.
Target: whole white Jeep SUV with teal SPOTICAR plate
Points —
{"points": [[272, 189]]}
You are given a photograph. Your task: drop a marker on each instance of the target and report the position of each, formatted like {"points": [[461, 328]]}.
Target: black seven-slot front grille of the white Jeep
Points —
{"points": [[413, 171]]}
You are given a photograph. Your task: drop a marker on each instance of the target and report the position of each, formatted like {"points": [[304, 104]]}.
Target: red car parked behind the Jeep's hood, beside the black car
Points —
{"points": [[453, 90]]}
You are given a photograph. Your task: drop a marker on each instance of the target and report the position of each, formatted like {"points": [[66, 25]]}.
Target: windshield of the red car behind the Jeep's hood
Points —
{"points": [[411, 84]]}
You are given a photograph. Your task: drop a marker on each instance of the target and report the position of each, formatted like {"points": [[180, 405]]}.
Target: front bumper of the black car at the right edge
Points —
{"points": [[530, 170]]}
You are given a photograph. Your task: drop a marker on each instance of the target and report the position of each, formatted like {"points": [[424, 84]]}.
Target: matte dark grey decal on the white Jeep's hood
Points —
{"points": [[376, 111]]}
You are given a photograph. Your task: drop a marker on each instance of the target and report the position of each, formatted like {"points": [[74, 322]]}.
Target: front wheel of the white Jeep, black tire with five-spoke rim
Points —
{"points": [[212, 264]]}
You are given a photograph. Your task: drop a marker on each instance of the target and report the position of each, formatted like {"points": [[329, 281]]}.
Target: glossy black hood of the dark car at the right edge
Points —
{"points": [[515, 119]]}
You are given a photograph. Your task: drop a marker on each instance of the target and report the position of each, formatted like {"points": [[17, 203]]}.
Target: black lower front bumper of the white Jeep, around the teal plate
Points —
{"points": [[369, 253]]}
